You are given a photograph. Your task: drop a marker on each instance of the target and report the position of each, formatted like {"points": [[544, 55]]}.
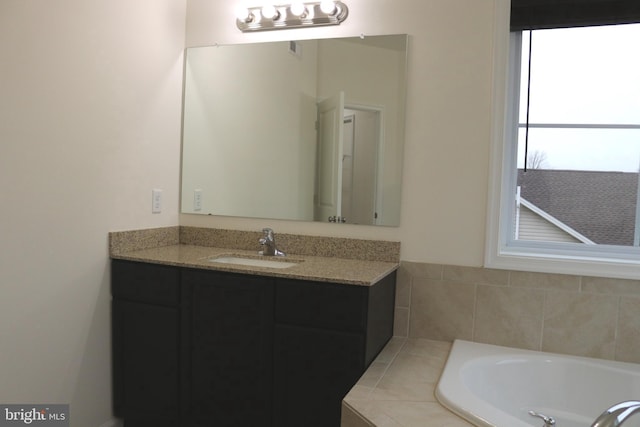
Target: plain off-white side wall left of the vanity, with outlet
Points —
{"points": [[90, 97]]}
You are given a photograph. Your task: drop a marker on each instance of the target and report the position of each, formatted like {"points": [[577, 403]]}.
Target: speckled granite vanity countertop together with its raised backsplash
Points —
{"points": [[363, 270]]}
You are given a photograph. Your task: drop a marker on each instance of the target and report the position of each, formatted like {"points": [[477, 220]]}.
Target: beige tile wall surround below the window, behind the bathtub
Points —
{"points": [[565, 314]]}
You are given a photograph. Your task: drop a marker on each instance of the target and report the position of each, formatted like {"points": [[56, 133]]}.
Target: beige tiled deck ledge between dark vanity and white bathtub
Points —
{"points": [[398, 388]]}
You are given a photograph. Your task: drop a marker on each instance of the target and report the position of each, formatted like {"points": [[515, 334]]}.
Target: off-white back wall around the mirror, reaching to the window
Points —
{"points": [[448, 124]]}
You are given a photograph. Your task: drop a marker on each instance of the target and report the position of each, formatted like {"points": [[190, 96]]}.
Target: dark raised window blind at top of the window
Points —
{"points": [[543, 14]]}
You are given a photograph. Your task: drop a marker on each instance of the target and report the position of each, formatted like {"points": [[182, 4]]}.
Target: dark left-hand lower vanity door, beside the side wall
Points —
{"points": [[145, 363]]}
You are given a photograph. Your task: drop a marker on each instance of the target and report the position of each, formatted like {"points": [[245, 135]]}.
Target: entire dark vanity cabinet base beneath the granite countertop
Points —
{"points": [[203, 348]]}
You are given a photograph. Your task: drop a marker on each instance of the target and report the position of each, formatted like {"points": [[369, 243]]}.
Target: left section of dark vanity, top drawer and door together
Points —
{"points": [[146, 343]]}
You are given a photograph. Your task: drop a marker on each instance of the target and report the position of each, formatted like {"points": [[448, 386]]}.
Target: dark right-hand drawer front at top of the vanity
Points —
{"points": [[321, 305]]}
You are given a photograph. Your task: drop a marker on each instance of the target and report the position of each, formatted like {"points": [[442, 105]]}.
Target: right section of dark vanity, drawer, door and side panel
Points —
{"points": [[326, 335]]}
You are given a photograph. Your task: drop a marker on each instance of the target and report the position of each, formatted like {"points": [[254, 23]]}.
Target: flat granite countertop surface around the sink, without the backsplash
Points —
{"points": [[316, 268]]}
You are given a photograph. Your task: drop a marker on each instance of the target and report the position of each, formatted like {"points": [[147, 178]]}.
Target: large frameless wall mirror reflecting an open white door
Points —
{"points": [[309, 130]]}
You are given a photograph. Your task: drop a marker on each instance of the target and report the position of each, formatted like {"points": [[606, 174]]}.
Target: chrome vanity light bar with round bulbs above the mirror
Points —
{"points": [[295, 15]]}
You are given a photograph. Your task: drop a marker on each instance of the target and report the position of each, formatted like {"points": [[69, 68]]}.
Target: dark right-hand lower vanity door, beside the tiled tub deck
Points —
{"points": [[314, 370]]}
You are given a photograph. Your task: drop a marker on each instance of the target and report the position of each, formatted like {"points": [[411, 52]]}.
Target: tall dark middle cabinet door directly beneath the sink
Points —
{"points": [[231, 349]]}
